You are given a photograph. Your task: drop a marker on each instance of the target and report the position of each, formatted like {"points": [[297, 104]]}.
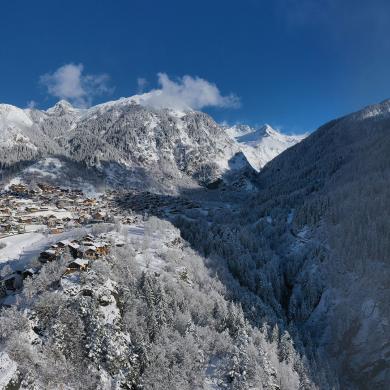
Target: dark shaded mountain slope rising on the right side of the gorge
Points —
{"points": [[337, 181]]}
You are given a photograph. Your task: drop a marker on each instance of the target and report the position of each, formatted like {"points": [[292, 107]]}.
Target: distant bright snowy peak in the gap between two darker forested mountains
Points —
{"points": [[260, 145]]}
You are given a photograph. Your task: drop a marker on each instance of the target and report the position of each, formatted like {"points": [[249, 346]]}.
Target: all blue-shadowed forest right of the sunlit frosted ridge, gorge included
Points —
{"points": [[313, 245]]}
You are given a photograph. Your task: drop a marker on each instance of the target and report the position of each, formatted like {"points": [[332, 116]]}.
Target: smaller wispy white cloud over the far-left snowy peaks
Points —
{"points": [[70, 83]]}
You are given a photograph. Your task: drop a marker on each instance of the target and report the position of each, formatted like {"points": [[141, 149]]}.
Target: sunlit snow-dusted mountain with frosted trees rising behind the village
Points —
{"points": [[162, 147]]}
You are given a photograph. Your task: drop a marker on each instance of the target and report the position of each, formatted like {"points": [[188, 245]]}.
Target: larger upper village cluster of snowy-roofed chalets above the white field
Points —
{"points": [[52, 209]]}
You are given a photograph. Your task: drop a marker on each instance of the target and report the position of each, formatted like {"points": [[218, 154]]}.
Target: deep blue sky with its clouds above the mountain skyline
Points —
{"points": [[292, 63]]}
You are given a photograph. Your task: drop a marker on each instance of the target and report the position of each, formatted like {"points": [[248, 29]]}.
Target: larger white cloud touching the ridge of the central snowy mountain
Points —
{"points": [[187, 92]]}
